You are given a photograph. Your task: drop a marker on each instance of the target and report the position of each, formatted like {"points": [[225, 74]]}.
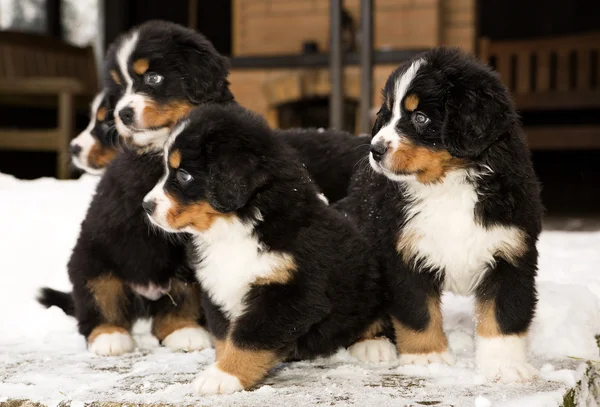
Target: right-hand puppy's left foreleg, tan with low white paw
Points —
{"points": [[418, 327]]}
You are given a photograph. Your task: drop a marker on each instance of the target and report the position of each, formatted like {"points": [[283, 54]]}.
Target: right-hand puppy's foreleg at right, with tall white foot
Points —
{"points": [[505, 305]]}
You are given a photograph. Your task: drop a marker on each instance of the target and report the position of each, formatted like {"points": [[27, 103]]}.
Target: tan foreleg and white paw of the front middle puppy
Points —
{"points": [[237, 368]]}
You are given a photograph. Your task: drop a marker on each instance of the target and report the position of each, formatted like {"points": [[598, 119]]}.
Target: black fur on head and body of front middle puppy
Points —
{"points": [[240, 167]]}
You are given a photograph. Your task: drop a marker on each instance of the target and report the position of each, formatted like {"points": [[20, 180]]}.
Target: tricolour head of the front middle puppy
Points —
{"points": [[217, 162]]}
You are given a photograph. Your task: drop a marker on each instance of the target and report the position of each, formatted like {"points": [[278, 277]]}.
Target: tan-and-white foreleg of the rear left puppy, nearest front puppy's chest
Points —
{"points": [[177, 319]]}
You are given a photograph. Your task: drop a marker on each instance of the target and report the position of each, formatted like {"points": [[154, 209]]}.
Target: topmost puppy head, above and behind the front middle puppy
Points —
{"points": [[158, 72]]}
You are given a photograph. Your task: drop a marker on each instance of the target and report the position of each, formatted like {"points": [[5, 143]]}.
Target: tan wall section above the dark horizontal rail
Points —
{"points": [[266, 27]]}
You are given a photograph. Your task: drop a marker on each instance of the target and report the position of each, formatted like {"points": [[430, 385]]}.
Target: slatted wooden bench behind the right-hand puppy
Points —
{"points": [[551, 74]]}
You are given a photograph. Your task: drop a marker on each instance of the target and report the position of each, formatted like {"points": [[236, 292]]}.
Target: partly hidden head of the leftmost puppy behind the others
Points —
{"points": [[95, 147]]}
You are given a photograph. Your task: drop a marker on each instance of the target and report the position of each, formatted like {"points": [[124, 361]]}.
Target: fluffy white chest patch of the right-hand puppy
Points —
{"points": [[442, 233]]}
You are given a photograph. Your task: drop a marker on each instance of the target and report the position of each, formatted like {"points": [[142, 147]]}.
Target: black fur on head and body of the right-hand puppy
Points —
{"points": [[473, 118]]}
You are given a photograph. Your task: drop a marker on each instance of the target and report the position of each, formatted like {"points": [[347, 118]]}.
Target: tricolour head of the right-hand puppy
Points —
{"points": [[440, 112]]}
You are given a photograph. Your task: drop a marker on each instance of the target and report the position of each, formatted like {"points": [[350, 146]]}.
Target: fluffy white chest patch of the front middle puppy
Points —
{"points": [[231, 261]]}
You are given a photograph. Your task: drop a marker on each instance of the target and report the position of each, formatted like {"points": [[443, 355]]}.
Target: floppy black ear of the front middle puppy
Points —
{"points": [[232, 184]]}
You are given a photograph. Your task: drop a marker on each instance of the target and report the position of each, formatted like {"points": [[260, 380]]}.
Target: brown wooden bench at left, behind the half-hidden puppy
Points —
{"points": [[43, 72]]}
